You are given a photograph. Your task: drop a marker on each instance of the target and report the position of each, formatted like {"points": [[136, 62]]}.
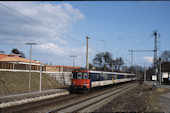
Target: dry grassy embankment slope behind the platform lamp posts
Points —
{"points": [[17, 82]]}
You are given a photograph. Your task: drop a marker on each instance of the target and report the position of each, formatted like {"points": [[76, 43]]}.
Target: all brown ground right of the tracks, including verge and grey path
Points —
{"points": [[140, 99]]}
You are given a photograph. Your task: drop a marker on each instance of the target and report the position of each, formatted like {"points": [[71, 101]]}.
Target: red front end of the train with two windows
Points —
{"points": [[80, 81]]}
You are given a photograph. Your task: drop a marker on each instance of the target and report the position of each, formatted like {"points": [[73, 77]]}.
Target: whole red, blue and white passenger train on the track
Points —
{"points": [[86, 79]]}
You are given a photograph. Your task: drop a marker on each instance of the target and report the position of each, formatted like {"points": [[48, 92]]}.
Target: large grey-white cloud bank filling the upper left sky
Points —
{"points": [[47, 23]]}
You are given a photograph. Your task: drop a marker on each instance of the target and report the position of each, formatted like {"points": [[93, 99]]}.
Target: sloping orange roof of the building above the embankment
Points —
{"points": [[15, 58]]}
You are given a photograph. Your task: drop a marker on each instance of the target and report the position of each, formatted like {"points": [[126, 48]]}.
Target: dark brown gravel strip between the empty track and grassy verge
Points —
{"points": [[132, 101]]}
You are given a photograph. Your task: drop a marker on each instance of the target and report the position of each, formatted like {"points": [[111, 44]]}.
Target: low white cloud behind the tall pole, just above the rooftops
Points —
{"points": [[60, 55]]}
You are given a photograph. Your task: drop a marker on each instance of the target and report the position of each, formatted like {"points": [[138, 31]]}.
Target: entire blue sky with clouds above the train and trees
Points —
{"points": [[60, 28]]}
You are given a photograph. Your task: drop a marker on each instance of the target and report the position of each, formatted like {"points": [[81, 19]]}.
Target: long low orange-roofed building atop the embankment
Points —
{"points": [[15, 62]]}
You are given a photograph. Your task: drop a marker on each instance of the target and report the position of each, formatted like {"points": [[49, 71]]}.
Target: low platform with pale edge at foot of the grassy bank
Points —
{"points": [[18, 99]]}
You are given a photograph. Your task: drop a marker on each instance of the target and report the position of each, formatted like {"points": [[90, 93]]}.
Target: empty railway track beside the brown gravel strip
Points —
{"points": [[93, 103]]}
